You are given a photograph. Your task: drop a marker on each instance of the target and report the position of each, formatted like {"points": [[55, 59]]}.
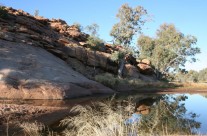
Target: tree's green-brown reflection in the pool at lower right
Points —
{"points": [[168, 115]]}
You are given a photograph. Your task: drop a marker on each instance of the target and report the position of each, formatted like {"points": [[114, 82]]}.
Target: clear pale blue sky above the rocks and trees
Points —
{"points": [[189, 16]]}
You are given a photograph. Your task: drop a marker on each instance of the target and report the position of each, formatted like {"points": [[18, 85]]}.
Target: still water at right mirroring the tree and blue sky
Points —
{"points": [[185, 113]]}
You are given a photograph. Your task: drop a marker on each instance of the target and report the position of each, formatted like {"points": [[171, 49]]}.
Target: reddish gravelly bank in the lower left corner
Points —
{"points": [[12, 115]]}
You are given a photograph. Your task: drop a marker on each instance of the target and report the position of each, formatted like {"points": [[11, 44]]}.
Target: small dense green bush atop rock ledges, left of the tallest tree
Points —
{"points": [[96, 43]]}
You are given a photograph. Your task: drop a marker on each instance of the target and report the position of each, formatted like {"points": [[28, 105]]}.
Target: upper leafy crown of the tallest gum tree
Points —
{"points": [[130, 22]]}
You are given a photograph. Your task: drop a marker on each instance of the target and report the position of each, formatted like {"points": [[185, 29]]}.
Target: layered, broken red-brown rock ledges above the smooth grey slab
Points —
{"points": [[55, 36]]}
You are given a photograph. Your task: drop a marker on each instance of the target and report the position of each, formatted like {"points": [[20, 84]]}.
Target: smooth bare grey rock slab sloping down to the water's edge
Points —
{"points": [[30, 72]]}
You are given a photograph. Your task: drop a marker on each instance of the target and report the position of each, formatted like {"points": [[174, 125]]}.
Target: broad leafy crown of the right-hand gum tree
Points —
{"points": [[169, 51]]}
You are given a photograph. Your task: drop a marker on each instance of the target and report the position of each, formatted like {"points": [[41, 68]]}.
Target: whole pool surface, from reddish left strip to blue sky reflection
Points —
{"points": [[190, 110]]}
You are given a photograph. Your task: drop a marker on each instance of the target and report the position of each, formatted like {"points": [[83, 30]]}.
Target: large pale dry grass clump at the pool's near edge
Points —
{"points": [[100, 119]]}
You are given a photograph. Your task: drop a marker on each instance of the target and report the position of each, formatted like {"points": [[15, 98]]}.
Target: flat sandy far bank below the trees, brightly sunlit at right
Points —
{"points": [[162, 88]]}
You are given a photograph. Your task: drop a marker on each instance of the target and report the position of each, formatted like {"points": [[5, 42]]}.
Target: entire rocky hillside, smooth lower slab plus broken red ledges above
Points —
{"points": [[30, 70]]}
